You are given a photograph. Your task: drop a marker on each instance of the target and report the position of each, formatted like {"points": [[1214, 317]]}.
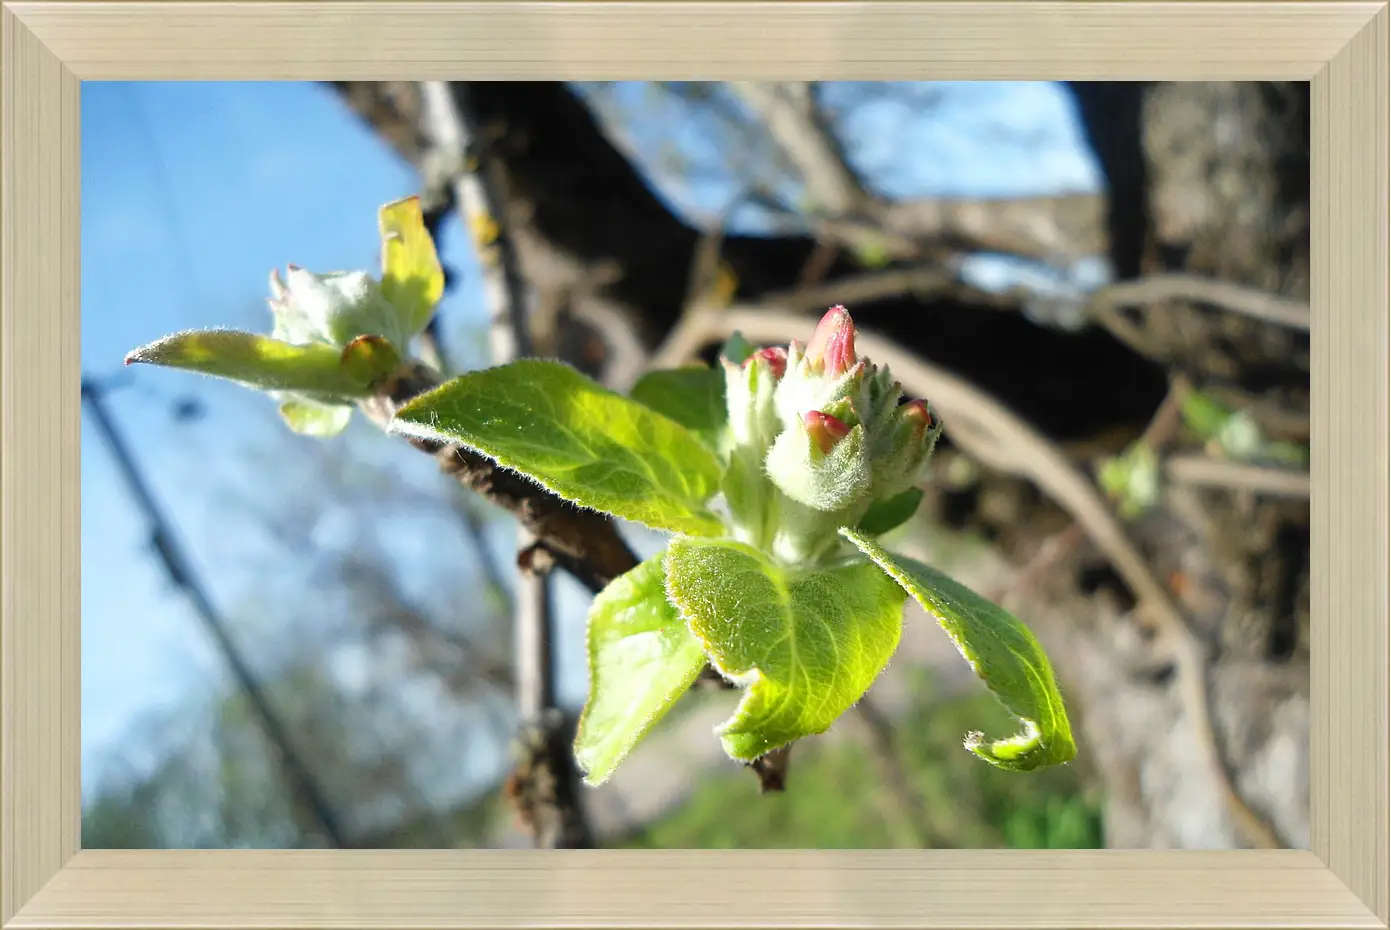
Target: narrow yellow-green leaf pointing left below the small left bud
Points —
{"points": [[259, 362]]}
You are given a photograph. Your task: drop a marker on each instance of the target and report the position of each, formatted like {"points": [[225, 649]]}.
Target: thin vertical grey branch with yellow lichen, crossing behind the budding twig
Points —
{"points": [[549, 796]]}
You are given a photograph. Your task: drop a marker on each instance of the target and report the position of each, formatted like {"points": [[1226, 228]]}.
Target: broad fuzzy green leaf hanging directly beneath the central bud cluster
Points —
{"points": [[805, 644]]}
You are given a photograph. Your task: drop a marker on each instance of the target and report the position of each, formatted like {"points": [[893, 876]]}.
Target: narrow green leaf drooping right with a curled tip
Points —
{"points": [[1001, 651]]}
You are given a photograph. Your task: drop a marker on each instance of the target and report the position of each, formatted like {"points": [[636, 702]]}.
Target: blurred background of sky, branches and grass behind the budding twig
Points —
{"points": [[300, 643]]}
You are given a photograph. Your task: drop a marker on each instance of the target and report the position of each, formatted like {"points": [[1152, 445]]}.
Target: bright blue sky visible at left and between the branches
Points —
{"points": [[191, 194]]}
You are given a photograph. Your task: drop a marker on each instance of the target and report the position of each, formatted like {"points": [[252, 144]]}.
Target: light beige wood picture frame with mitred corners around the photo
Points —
{"points": [[49, 49]]}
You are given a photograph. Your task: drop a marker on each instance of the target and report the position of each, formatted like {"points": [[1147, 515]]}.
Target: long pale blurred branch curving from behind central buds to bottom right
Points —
{"points": [[994, 436]]}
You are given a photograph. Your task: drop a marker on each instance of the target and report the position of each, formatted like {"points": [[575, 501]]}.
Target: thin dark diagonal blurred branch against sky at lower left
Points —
{"points": [[172, 555]]}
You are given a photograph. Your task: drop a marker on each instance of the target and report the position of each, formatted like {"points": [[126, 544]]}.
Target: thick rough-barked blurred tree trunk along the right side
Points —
{"points": [[1209, 179]]}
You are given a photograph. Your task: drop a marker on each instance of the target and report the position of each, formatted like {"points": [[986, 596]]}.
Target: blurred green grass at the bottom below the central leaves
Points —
{"points": [[837, 797]]}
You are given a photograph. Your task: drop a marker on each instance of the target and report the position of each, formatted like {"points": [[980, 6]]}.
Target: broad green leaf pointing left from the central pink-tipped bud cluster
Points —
{"points": [[582, 443]]}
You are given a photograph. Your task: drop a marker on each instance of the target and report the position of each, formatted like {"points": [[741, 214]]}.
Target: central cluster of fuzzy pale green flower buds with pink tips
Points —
{"points": [[817, 436]]}
